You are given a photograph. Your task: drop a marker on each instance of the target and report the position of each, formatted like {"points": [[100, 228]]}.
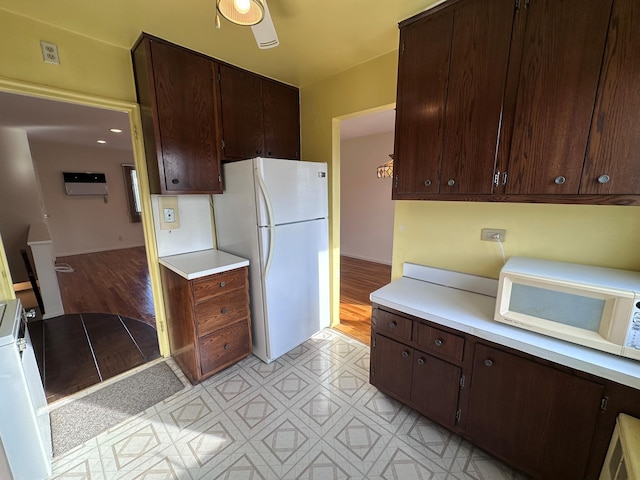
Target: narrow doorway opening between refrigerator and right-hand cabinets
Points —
{"points": [[366, 216]]}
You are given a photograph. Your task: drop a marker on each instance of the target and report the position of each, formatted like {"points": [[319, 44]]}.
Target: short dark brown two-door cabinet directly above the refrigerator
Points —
{"points": [[260, 117]]}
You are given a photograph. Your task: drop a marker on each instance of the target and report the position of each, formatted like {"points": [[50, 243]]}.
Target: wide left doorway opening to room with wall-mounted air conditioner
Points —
{"points": [[56, 135]]}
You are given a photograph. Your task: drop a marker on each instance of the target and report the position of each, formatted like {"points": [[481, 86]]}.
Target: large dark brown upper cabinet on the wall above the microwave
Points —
{"points": [[520, 100]]}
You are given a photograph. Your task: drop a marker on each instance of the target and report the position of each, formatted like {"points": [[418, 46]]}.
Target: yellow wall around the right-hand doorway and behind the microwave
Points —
{"points": [[447, 234]]}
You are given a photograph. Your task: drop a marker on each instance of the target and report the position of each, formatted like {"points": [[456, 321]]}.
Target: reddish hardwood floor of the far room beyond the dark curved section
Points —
{"points": [[115, 281]]}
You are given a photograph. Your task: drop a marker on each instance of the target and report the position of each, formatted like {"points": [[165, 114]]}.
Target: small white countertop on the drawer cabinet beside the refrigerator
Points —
{"points": [[202, 263]]}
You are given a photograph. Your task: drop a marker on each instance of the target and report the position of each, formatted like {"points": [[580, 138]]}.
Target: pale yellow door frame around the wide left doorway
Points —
{"points": [[133, 112]]}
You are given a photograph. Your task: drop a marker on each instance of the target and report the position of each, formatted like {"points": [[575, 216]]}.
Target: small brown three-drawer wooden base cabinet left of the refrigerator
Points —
{"points": [[208, 320]]}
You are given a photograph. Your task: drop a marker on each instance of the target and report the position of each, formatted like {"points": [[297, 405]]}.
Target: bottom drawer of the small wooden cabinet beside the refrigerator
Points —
{"points": [[224, 347]]}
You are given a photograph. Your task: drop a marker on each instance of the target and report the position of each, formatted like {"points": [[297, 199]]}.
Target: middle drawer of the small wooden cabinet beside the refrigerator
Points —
{"points": [[221, 311]]}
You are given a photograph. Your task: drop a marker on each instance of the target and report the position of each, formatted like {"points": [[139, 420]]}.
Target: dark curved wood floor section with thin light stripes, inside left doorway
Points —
{"points": [[77, 351]]}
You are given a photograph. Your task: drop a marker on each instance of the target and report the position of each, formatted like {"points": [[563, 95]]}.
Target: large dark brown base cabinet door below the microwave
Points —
{"points": [[540, 418]]}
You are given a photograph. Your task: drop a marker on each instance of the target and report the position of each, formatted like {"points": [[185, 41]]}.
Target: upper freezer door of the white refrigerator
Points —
{"points": [[290, 191]]}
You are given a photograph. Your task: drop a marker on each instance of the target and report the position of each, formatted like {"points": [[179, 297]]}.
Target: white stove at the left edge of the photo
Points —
{"points": [[25, 431]]}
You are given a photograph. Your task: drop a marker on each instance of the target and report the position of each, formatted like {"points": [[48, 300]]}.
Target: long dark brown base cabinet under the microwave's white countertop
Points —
{"points": [[547, 420]]}
